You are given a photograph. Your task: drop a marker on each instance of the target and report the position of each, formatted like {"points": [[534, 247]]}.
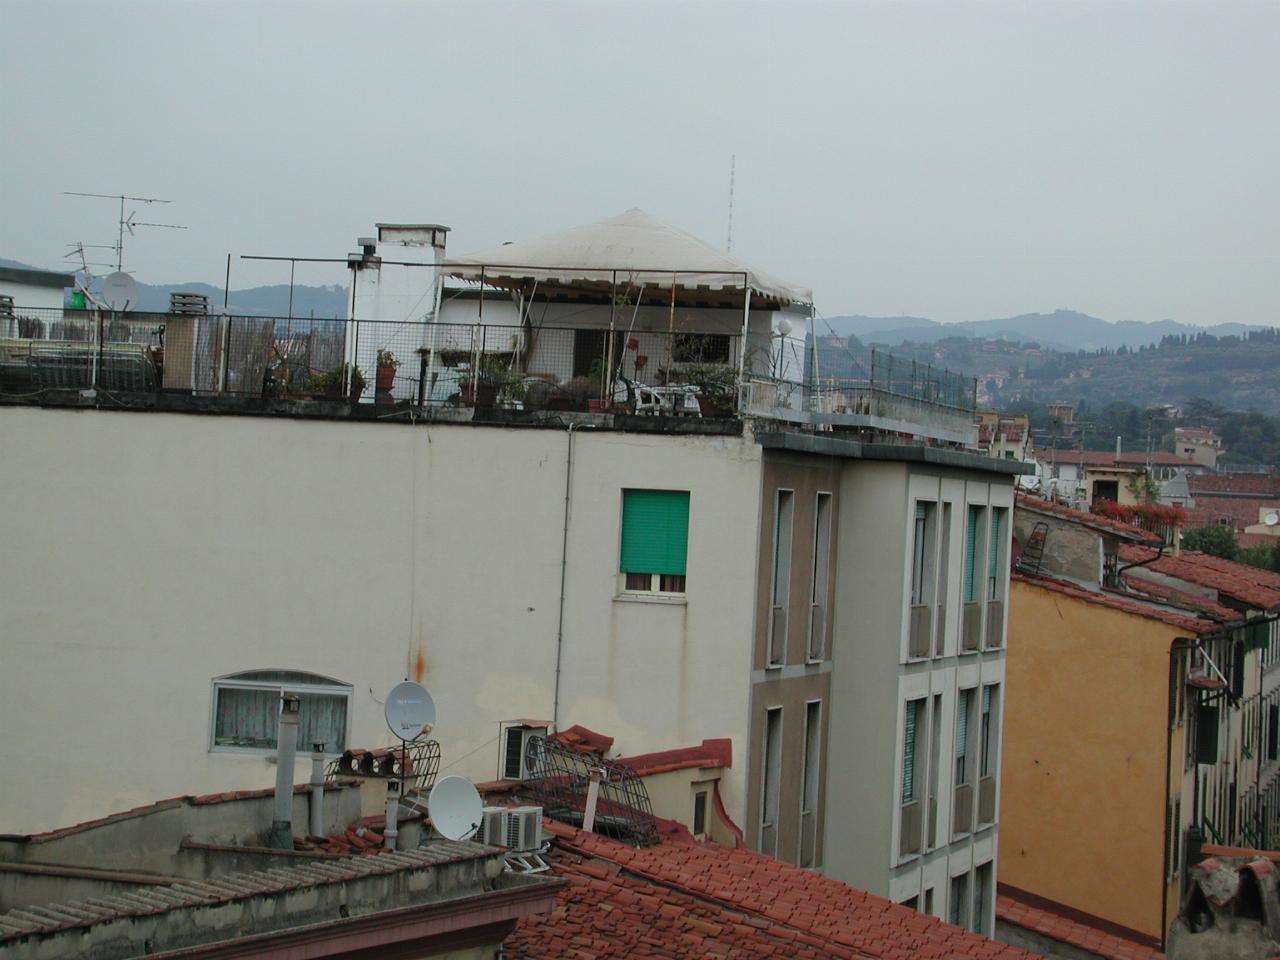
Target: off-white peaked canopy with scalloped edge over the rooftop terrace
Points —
{"points": [[630, 249]]}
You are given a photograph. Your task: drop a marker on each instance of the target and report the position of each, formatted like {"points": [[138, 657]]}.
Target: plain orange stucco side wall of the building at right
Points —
{"points": [[1084, 776]]}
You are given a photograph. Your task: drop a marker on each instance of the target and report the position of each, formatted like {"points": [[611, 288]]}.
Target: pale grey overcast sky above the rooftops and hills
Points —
{"points": [[948, 161]]}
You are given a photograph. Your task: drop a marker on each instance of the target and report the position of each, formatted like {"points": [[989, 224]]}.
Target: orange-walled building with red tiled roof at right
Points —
{"points": [[1137, 719]]}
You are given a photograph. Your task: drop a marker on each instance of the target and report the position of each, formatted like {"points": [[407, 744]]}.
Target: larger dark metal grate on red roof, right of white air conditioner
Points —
{"points": [[560, 780]]}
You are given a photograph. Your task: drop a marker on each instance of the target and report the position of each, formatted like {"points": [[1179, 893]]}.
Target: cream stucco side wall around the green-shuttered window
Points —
{"points": [[148, 554]]}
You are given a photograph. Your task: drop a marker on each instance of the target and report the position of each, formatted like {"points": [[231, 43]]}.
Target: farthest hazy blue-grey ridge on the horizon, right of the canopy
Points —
{"points": [[1062, 331]]}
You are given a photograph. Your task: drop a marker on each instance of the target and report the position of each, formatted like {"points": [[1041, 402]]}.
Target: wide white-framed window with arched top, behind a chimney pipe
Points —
{"points": [[248, 711]]}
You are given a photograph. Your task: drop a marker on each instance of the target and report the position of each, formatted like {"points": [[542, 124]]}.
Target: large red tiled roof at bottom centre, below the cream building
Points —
{"points": [[687, 899]]}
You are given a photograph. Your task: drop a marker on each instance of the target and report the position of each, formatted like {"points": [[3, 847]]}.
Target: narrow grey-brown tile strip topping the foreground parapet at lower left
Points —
{"points": [[230, 888]]}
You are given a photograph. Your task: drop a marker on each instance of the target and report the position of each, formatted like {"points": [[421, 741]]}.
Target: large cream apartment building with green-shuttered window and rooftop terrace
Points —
{"points": [[816, 560]]}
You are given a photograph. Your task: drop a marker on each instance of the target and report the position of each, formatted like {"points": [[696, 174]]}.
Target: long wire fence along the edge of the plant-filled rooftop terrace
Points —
{"points": [[414, 363]]}
